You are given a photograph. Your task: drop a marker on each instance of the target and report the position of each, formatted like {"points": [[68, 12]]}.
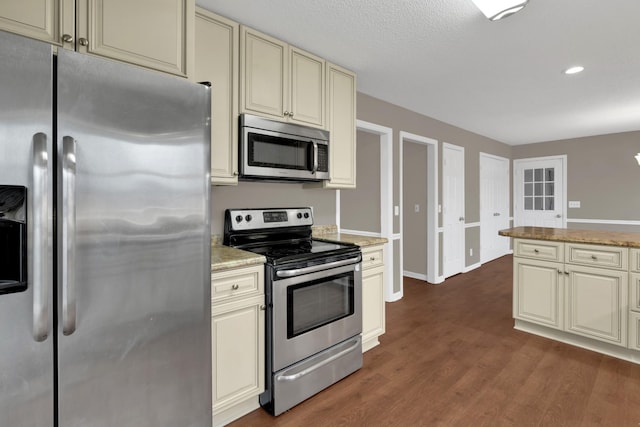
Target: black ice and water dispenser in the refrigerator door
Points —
{"points": [[13, 239]]}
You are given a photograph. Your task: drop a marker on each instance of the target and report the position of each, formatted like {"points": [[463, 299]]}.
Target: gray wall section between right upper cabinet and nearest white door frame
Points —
{"points": [[366, 196]]}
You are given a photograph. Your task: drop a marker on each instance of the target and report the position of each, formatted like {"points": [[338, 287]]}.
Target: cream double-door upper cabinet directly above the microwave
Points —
{"points": [[280, 81]]}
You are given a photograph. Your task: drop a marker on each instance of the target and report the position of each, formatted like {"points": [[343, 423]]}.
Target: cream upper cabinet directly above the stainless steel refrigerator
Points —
{"points": [[156, 34]]}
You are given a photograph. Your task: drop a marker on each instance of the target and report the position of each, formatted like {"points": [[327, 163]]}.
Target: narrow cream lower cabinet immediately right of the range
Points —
{"points": [[373, 306]]}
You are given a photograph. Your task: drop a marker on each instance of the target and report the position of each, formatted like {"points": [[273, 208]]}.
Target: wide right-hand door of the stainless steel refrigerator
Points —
{"points": [[134, 249]]}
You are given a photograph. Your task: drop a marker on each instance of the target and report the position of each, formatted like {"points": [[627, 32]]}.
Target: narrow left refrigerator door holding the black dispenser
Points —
{"points": [[26, 338]]}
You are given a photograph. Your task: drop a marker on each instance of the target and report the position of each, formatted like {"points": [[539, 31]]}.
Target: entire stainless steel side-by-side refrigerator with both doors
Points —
{"points": [[104, 243]]}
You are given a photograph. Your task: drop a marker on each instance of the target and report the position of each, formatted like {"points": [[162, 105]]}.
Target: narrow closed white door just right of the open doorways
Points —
{"points": [[452, 209]]}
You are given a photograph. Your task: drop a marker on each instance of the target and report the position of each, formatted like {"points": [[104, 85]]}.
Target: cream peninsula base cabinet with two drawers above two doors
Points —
{"points": [[577, 288]]}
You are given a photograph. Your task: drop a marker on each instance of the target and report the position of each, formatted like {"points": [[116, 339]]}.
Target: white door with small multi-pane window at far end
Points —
{"points": [[539, 192]]}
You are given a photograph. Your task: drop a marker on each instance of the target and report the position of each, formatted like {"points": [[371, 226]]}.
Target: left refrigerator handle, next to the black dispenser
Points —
{"points": [[40, 234]]}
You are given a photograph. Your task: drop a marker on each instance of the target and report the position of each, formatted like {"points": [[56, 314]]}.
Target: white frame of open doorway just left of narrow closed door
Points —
{"points": [[433, 248]]}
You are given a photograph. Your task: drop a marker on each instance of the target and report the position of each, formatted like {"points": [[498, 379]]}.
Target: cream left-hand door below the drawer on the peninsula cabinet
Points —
{"points": [[538, 292]]}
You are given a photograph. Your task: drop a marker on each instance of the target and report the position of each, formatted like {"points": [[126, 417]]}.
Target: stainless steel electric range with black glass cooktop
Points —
{"points": [[313, 291]]}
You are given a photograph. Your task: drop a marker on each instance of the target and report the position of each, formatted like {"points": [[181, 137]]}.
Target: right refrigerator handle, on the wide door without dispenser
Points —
{"points": [[68, 235]]}
